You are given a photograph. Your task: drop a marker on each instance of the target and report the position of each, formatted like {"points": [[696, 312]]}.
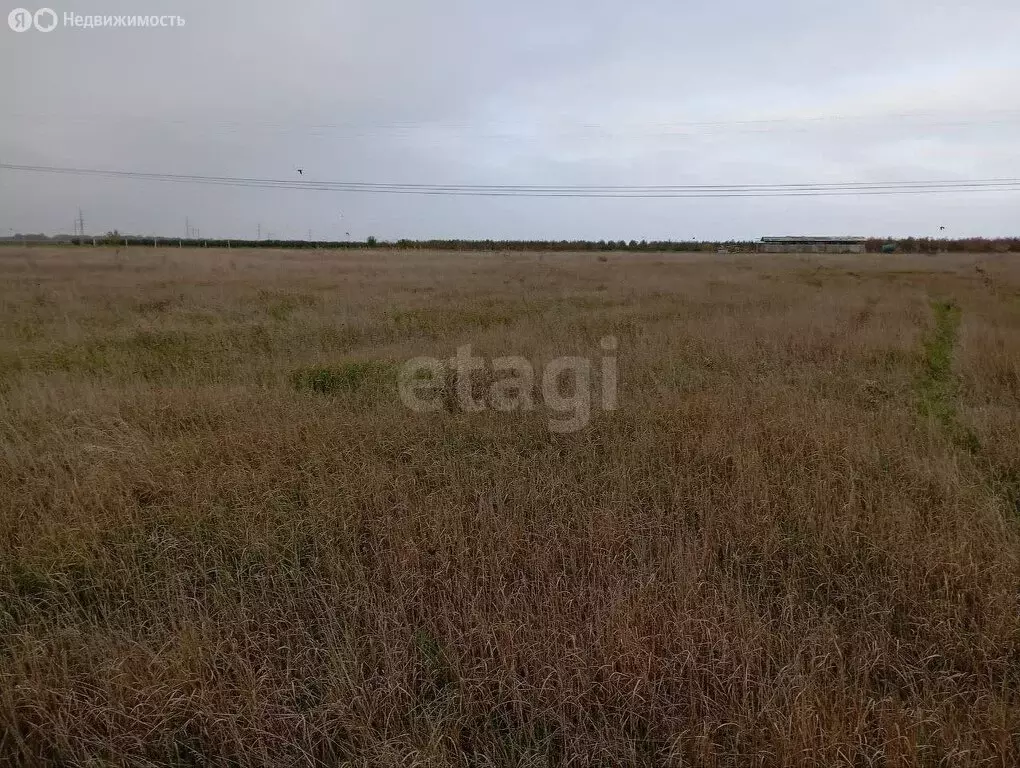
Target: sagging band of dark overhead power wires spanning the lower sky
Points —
{"points": [[813, 189]]}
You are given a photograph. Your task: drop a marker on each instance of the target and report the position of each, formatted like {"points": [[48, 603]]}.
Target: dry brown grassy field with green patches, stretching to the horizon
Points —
{"points": [[226, 541]]}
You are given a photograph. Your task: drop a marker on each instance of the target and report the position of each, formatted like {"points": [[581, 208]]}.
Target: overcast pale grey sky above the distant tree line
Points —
{"points": [[550, 92]]}
